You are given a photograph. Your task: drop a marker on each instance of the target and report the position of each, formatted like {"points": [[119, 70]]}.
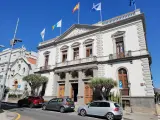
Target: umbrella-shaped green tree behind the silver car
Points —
{"points": [[102, 87]]}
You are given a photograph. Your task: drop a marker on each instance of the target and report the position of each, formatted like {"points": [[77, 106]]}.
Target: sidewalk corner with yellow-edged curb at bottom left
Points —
{"points": [[6, 115]]}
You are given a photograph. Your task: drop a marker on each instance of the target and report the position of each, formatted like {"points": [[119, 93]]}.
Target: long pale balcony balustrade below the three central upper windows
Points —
{"points": [[77, 61]]}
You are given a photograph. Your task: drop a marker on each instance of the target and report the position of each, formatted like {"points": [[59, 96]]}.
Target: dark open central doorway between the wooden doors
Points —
{"points": [[74, 91]]}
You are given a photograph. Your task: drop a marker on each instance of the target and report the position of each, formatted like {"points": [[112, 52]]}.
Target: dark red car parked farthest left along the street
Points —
{"points": [[31, 101]]}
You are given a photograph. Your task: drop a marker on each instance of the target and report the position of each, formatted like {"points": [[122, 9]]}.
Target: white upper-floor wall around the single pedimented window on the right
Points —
{"points": [[131, 41]]}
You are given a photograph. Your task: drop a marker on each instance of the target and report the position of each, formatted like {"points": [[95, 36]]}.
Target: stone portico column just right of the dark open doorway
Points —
{"points": [[80, 88]]}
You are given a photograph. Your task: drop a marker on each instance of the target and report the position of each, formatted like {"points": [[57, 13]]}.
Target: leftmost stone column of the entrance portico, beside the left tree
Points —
{"points": [[56, 78]]}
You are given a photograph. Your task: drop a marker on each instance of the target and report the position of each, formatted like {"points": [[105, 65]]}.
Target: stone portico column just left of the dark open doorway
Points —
{"points": [[67, 85]]}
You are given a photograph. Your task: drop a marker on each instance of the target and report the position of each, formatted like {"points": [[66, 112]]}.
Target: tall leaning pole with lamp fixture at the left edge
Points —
{"points": [[13, 42]]}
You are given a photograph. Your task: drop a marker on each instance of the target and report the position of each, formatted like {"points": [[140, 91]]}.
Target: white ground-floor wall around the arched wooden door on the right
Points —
{"points": [[135, 75]]}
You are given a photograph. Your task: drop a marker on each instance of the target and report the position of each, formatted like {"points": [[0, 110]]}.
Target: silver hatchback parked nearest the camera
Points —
{"points": [[107, 109]]}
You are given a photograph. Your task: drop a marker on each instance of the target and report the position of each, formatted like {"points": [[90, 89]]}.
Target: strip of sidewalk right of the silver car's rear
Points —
{"points": [[139, 116]]}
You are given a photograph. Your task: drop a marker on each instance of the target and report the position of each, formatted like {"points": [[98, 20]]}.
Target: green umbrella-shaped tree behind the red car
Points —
{"points": [[35, 81]]}
